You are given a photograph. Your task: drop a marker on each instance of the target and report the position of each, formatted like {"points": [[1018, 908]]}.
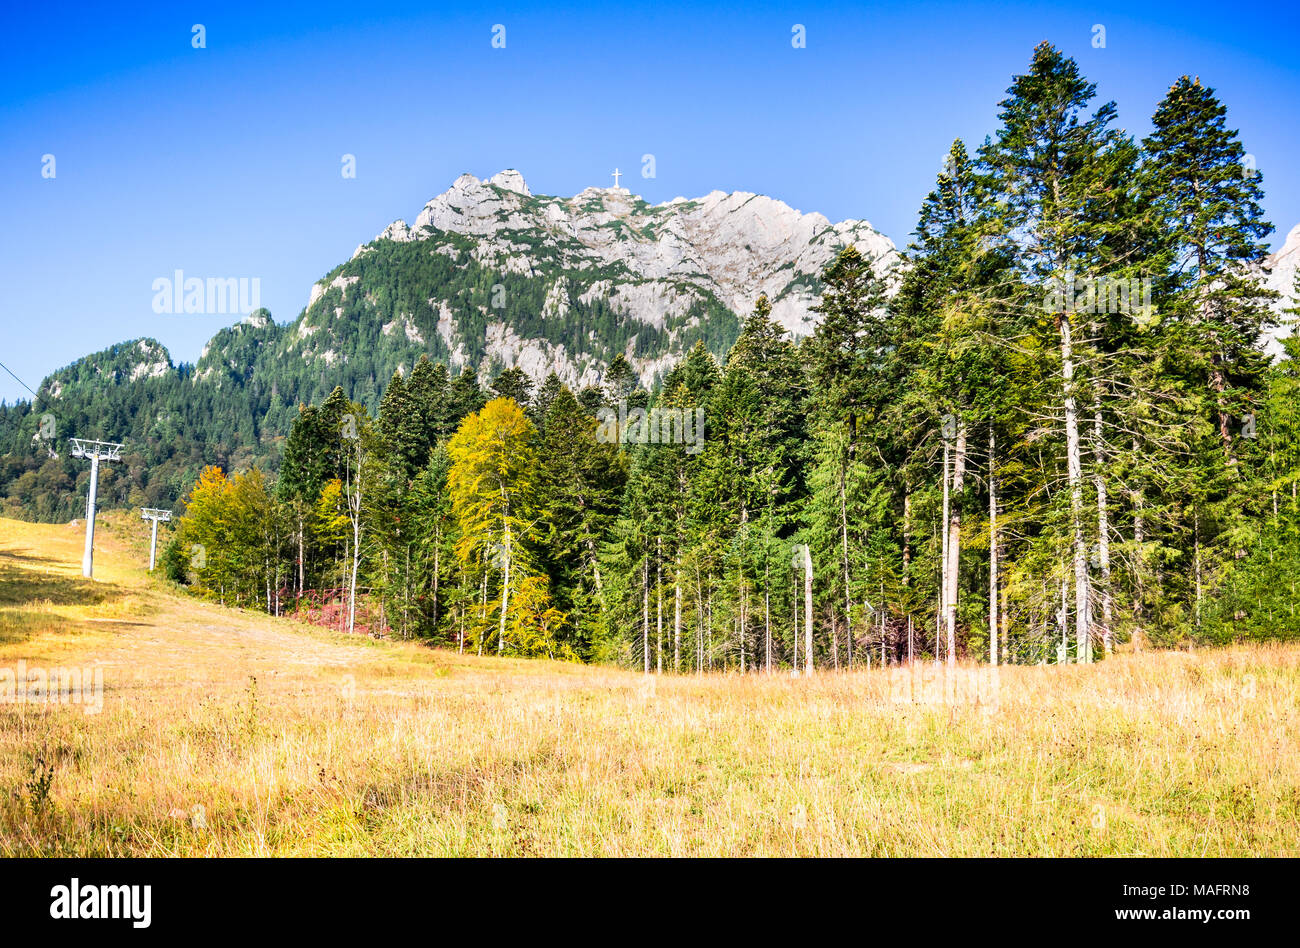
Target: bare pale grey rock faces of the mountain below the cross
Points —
{"points": [[665, 259]]}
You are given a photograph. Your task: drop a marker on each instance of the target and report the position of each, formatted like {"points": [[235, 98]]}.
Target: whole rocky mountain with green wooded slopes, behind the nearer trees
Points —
{"points": [[488, 278]]}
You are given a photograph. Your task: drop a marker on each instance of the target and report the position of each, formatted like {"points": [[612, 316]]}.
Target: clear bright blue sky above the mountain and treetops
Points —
{"points": [[227, 162]]}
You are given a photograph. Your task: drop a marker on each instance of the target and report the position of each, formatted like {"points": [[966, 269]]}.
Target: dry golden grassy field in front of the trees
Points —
{"points": [[233, 734]]}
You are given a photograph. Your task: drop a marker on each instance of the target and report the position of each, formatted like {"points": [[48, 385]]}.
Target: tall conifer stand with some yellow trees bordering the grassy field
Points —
{"points": [[1052, 434]]}
